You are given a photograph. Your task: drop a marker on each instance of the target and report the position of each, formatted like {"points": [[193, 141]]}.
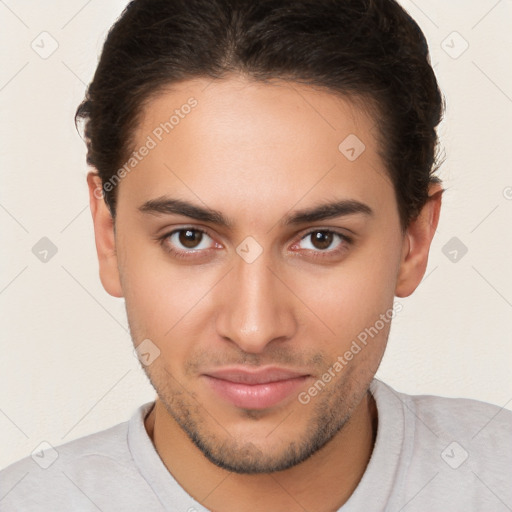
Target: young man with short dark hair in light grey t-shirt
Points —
{"points": [[263, 189]]}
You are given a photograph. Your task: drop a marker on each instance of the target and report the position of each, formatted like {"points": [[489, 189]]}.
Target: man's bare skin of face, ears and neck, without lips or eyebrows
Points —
{"points": [[257, 153]]}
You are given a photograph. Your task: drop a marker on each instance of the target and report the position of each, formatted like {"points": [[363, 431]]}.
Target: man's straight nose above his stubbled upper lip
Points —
{"points": [[255, 307]]}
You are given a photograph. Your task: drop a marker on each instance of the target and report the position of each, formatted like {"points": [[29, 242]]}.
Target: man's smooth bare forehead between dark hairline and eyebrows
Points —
{"points": [[262, 146]]}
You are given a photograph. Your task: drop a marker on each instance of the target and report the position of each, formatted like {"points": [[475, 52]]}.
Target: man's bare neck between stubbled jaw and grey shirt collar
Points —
{"points": [[322, 483]]}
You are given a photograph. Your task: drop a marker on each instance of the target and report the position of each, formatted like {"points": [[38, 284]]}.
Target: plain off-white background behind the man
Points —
{"points": [[67, 366]]}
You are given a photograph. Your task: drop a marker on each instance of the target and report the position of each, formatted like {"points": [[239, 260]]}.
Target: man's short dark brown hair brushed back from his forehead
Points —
{"points": [[369, 50]]}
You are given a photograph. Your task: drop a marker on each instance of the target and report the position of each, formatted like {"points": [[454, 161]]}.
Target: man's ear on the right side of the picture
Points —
{"points": [[416, 244]]}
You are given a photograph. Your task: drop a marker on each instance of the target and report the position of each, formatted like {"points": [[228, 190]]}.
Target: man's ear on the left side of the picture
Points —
{"points": [[104, 236]]}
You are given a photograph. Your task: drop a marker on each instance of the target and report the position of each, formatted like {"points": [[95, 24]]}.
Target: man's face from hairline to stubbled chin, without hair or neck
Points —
{"points": [[249, 286]]}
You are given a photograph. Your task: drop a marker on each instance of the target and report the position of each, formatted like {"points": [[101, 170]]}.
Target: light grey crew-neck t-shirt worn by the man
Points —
{"points": [[431, 454]]}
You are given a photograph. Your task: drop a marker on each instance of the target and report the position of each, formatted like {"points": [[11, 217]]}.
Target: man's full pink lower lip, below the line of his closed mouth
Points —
{"points": [[255, 396]]}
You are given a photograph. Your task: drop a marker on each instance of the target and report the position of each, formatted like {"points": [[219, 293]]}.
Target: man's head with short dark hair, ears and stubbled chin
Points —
{"points": [[264, 188]]}
